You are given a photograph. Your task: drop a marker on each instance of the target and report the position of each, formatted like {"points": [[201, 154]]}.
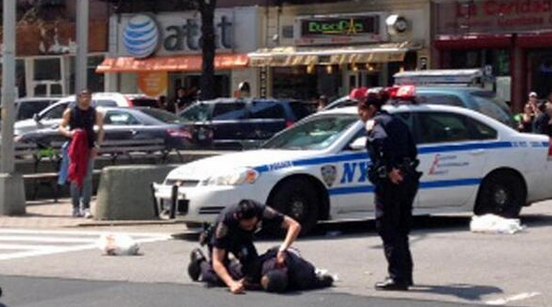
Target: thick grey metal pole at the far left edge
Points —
{"points": [[8, 87]]}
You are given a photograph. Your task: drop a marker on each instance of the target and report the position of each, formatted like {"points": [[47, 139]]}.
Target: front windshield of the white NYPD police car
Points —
{"points": [[317, 133]]}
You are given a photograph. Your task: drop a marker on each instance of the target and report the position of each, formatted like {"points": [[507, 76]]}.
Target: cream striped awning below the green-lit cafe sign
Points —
{"points": [[292, 56]]}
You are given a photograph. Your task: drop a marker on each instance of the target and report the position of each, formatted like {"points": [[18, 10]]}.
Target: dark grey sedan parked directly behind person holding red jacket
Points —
{"points": [[127, 124]]}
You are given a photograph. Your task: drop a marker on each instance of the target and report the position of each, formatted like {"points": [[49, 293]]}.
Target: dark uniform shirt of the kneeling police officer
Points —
{"points": [[228, 233]]}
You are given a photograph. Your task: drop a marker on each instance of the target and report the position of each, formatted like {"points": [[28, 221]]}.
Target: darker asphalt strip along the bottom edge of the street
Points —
{"points": [[55, 292]]}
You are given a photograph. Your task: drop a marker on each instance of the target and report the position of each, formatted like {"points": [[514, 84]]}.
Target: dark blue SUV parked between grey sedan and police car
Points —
{"points": [[230, 123]]}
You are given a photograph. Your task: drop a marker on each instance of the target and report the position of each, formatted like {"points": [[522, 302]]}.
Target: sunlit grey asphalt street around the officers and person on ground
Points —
{"points": [[452, 265]]}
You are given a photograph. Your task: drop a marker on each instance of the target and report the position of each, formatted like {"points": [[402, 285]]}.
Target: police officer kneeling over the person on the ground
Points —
{"points": [[233, 233]]}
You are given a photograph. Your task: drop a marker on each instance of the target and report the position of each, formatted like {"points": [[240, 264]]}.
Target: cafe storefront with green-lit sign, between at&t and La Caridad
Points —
{"points": [[329, 48]]}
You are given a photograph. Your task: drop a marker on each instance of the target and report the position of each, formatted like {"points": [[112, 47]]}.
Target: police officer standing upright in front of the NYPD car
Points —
{"points": [[393, 172]]}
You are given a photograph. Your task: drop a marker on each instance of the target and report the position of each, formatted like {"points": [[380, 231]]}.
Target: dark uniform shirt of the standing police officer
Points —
{"points": [[388, 145]]}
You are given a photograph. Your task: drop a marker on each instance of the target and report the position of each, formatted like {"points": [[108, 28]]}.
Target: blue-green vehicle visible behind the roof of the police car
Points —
{"points": [[477, 99]]}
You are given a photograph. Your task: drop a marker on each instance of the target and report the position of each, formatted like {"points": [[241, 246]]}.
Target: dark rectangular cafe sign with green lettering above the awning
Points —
{"points": [[338, 30]]}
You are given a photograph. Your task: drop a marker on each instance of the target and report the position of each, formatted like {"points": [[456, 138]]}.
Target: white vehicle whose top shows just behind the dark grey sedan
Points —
{"points": [[51, 116]]}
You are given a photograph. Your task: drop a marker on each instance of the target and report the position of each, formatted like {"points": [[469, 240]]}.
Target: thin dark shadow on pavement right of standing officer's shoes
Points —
{"points": [[463, 291]]}
